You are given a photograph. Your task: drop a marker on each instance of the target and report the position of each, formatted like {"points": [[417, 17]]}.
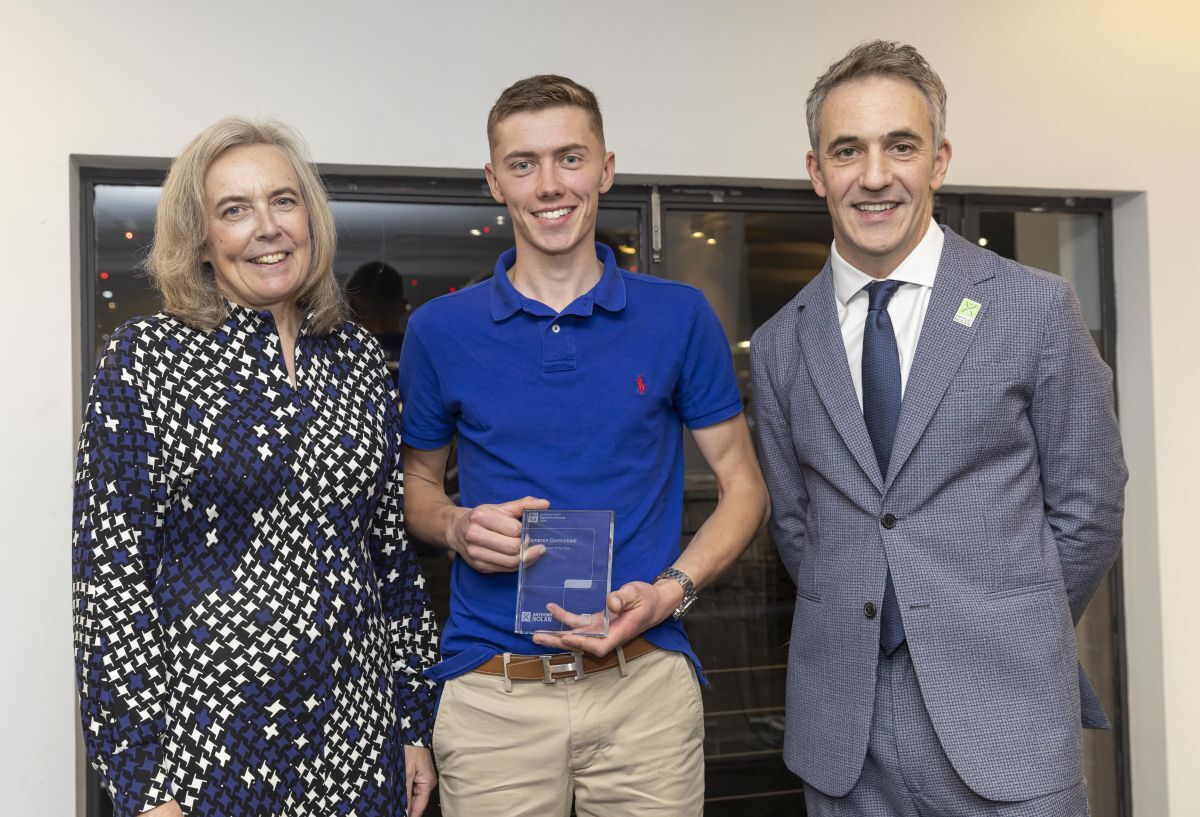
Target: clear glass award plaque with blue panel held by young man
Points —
{"points": [[575, 572]]}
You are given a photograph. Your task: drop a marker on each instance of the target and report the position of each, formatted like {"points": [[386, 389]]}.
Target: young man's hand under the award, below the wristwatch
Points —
{"points": [[633, 610]]}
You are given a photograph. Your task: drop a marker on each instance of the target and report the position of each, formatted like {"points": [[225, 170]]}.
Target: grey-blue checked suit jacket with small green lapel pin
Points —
{"points": [[1007, 486]]}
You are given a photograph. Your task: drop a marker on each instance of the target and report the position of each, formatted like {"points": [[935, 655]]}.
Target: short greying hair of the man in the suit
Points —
{"points": [[880, 58]]}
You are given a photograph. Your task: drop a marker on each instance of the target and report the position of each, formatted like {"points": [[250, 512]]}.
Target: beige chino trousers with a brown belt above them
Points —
{"points": [[619, 746]]}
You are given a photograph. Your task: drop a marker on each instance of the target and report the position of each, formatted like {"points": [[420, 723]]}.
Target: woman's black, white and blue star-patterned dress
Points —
{"points": [[251, 628]]}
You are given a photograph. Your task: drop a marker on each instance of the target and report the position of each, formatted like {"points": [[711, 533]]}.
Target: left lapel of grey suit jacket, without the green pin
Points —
{"points": [[820, 341]]}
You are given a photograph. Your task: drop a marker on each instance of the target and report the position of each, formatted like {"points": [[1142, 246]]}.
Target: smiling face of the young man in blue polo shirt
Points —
{"points": [[549, 167]]}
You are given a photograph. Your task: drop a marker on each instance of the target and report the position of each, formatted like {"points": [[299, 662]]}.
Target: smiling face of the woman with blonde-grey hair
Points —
{"points": [[257, 239]]}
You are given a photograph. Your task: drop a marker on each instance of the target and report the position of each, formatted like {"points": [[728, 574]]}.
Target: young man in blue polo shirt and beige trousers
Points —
{"points": [[568, 382]]}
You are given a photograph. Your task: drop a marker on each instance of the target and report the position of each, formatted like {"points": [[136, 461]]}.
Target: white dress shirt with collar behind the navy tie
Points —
{"points": [[907, 308]]}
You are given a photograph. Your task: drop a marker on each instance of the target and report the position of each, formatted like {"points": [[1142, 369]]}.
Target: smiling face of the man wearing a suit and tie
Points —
{"points": [[878, 170]]}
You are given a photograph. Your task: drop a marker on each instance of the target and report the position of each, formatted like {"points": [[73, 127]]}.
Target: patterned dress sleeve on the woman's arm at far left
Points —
{"points": [[121, 494]]}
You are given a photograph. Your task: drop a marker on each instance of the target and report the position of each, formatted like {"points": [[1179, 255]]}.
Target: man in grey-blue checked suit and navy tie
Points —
{"points": [[938, 434]]}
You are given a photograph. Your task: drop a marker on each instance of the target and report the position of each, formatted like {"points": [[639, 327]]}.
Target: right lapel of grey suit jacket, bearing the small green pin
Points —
{"points": [[943, 345]]}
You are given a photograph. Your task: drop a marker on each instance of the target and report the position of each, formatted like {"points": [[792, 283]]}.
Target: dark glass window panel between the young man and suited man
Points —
{"points": [[749, 266]]}
